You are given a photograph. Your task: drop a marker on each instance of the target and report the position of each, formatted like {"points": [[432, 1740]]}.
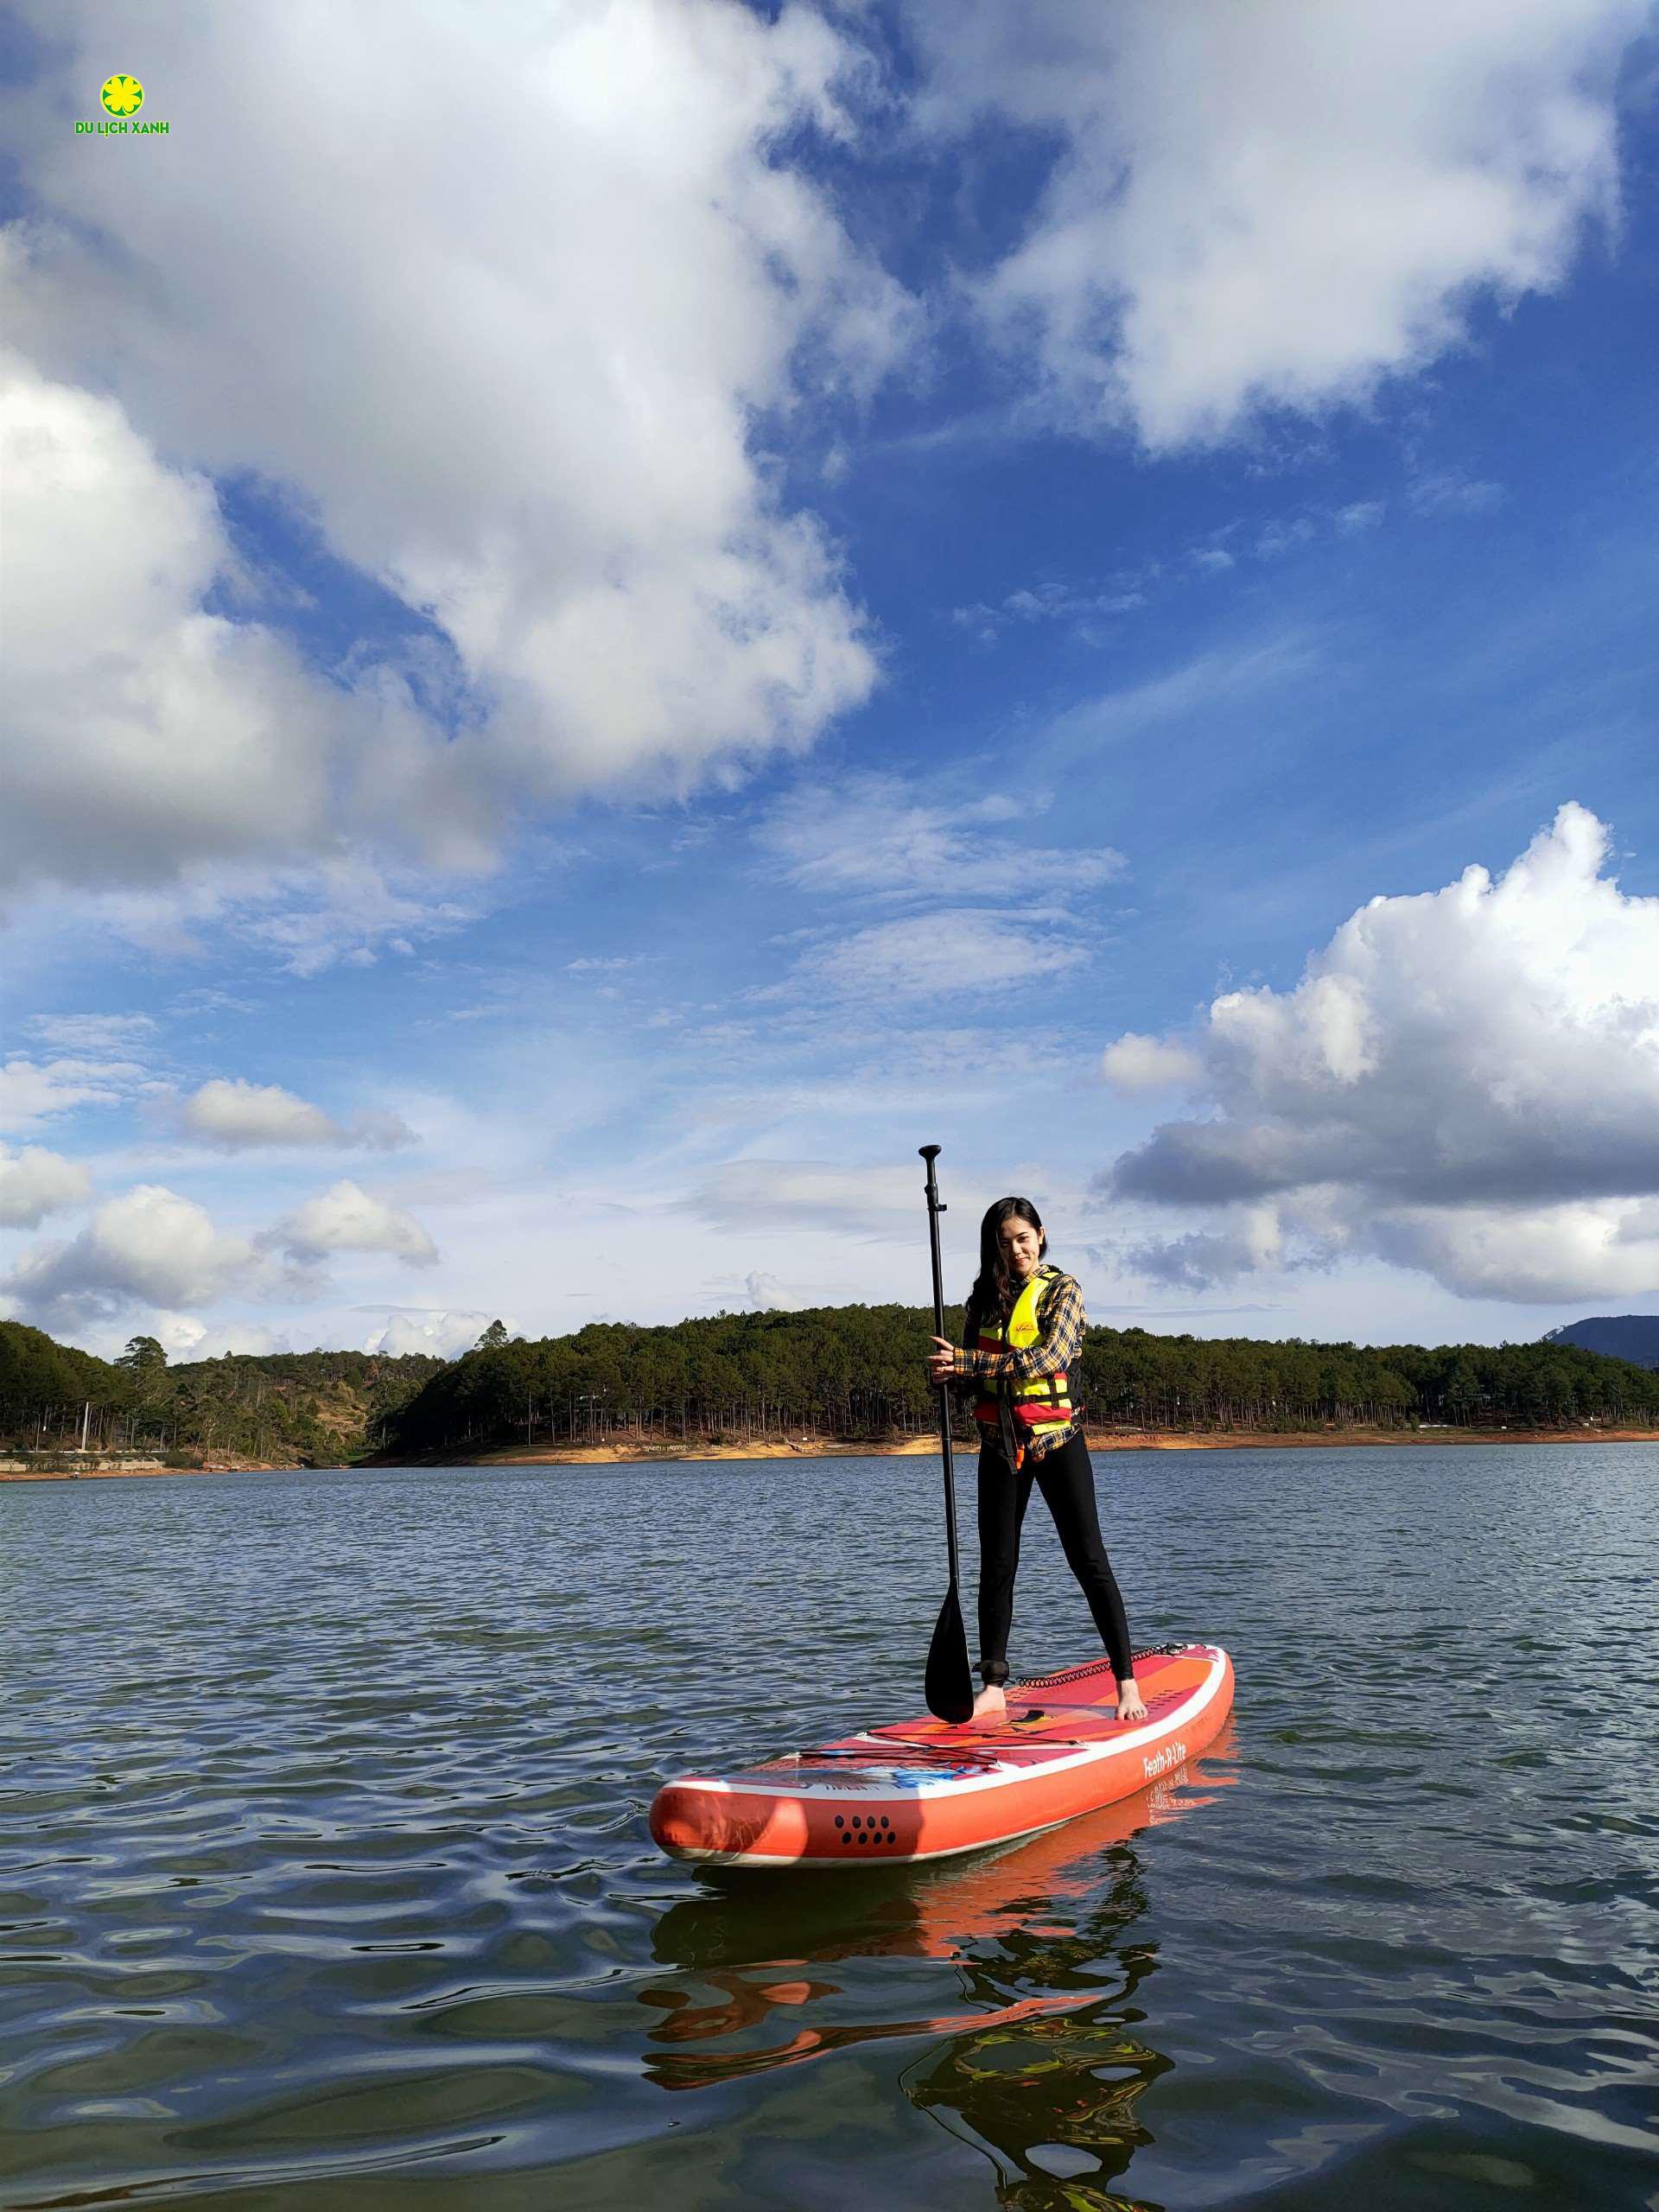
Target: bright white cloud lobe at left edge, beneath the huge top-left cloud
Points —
{"points": [[147, 735]]}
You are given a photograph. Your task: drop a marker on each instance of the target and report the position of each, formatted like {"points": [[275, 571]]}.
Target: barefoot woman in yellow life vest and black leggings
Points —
{"points": [[1025, 1328]]}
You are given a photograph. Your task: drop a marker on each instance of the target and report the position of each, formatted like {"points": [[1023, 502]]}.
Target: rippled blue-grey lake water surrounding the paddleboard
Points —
{"points": [[326, 1879]]}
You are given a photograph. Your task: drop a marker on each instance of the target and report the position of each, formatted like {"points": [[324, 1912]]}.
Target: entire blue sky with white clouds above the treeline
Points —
{"points": [[625, 625]]}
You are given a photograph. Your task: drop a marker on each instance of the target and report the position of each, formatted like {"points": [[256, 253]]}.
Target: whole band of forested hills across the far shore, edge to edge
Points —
{"points": [[844, 1373]]}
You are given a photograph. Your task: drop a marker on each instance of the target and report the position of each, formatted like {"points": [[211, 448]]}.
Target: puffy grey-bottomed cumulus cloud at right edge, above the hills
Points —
{"points": [[1463, 1083]]}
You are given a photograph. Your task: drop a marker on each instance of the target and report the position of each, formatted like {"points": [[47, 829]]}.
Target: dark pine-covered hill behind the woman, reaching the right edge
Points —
{"points": [[857, 1373]]}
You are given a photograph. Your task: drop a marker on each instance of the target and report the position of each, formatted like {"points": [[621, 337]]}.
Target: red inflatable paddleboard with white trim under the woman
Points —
{"points": [[919, 1791]]}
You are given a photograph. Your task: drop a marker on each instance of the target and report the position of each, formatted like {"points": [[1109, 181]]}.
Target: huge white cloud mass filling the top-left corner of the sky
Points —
{"points": [[545, 446]]}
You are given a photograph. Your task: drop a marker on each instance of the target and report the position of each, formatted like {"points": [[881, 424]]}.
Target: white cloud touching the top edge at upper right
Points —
{"points": [[1280, 207]]}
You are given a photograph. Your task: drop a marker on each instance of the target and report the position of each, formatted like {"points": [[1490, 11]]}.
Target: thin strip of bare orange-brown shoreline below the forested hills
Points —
{"points": [[839, 1450]]}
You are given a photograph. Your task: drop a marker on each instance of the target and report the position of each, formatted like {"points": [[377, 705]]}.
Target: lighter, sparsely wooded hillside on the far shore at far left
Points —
{"points": [[286, 1408]]}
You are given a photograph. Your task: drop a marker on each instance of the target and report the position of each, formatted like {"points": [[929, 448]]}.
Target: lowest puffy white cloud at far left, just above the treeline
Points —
{"points": [[143, 1249]]}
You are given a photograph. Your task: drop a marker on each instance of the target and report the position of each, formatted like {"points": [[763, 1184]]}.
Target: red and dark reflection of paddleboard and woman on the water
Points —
{"points": [[1043, 2056]]}
